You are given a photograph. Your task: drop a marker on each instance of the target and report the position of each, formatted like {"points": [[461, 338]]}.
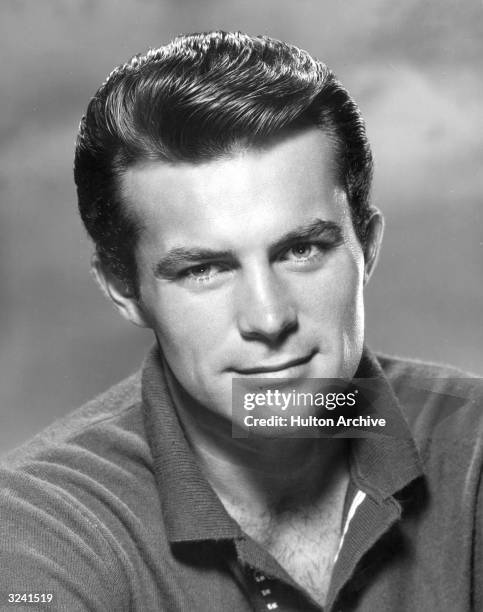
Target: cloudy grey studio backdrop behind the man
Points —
{"points": [[415, 68]]}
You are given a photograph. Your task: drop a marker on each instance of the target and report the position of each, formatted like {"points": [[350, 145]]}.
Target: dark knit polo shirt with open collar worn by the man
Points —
{"points": [[108, 508]]}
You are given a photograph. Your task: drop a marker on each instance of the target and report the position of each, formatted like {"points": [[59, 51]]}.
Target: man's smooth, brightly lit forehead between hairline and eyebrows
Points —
{"points": [[248, 193]]}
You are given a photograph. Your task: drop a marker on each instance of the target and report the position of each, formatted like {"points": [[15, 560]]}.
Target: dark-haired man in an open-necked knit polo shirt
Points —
{"points": [[224, 180]]}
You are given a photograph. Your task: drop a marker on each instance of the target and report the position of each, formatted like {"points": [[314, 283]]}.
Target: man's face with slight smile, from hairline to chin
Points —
{"points": [[249, 266]]}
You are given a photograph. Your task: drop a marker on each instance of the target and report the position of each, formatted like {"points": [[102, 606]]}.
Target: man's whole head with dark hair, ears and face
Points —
{"points": [[225, 182]]}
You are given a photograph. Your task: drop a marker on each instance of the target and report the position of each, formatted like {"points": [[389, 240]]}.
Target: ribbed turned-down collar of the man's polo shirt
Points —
{"points": [[380, 465]]}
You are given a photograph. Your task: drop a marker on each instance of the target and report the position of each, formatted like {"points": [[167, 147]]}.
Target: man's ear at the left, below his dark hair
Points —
{"points": [[119, 292]]}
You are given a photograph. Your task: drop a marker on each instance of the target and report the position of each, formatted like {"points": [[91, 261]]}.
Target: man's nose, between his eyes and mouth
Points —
{"points": [[265, 309]]}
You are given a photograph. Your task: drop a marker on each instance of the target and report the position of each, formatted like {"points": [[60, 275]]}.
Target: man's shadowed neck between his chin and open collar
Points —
{"points": [[266, 474]]}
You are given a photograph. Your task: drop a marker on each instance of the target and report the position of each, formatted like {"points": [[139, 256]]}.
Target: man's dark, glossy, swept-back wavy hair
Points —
{"points": [[195, 99]]}
